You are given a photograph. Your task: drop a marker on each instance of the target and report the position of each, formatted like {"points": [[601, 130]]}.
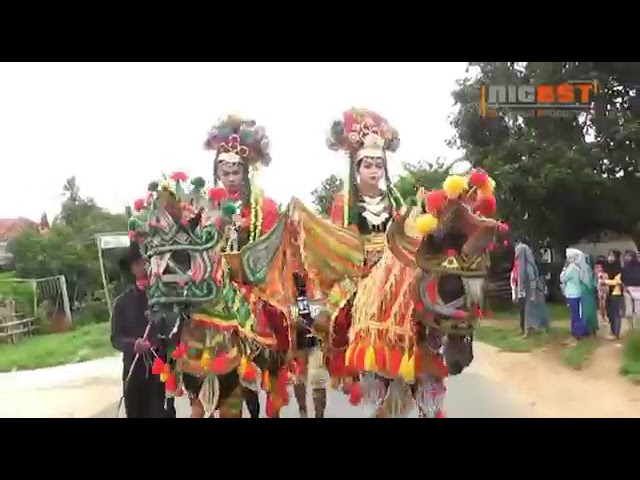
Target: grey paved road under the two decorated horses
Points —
{"points": [[470, 395]]}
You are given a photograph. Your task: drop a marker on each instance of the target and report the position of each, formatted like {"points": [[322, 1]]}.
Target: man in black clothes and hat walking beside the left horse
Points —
{"points": [[144, 395]]}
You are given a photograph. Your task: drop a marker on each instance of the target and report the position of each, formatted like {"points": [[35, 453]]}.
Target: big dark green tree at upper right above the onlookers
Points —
{"points": [[552, 183]]}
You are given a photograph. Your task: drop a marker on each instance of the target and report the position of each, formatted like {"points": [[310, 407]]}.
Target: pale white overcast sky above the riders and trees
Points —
{"points": [[118, 126]]}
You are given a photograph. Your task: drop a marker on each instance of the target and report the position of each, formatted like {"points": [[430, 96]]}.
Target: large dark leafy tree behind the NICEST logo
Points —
{"points": [[559, 179]]}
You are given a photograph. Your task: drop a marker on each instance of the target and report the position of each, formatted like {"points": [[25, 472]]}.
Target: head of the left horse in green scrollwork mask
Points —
{"points": [[179, 230]]}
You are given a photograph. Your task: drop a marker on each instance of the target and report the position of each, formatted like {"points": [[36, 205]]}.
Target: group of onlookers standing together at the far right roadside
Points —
{"points": [[601, 292]]}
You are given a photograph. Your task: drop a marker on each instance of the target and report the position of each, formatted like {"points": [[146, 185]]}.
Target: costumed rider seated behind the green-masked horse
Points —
{"points": [[241, 148]]}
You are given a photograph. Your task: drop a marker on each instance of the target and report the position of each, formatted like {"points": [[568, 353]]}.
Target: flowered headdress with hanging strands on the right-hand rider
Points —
{"points": [[362, 133]]}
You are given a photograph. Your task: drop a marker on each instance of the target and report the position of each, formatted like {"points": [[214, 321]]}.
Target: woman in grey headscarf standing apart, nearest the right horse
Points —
{"points": [[528, 291]]}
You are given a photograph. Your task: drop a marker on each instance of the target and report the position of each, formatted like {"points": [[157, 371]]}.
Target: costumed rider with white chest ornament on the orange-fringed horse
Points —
{"points": [[368, 203]]}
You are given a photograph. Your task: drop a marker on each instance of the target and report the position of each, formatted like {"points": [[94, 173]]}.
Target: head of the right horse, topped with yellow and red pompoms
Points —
{"points": [[449, 239]]}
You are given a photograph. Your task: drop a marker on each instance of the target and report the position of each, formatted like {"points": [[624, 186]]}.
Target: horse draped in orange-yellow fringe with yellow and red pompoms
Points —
{"points": [[414, 315]]}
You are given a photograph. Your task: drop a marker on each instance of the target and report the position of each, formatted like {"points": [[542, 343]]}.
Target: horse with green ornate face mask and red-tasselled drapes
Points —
{"points": [[211, 327]]}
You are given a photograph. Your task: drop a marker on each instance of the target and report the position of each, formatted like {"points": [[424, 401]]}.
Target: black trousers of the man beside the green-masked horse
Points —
{"points": [[144, 397]]}
